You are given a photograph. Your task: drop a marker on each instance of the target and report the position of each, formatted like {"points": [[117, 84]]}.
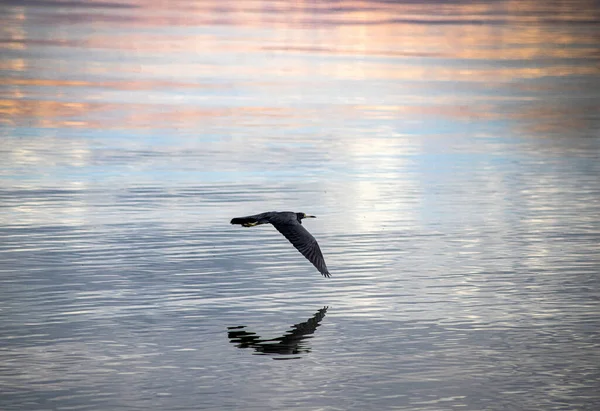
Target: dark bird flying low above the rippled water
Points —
{"points": [[289, 224]]}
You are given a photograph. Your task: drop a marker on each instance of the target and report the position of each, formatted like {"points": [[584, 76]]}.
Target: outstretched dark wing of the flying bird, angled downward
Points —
{"points": [[303, 241]]}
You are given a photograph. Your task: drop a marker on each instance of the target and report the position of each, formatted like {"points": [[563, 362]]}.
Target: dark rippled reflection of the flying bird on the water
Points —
{"points": [[292, 342]]}
